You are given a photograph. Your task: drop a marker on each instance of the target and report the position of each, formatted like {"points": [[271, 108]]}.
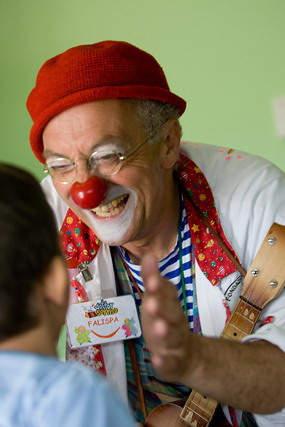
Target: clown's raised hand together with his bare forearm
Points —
{"points": [[225, 370]]}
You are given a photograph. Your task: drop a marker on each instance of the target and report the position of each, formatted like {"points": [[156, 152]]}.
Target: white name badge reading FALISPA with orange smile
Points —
{"points": [[103, 321]]}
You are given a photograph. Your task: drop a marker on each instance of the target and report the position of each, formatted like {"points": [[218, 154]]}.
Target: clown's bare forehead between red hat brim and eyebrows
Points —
{"points": [[105, 122]]}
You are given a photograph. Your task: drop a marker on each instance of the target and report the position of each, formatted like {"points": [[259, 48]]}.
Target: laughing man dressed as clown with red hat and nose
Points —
{"points": [[106, 127]]}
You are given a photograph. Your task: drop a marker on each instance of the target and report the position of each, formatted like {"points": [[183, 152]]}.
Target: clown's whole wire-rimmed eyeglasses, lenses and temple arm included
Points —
{"points": [[101, 163]]}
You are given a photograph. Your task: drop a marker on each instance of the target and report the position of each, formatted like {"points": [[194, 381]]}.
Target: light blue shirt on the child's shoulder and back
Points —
{"points": [[54, 391]]}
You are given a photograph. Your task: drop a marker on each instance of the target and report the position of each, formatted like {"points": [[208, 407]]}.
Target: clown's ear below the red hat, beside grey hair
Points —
{"points": [[171, 135]]}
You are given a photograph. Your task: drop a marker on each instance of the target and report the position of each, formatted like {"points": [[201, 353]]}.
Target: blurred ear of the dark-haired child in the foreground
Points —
{"points": [[55, 282]]}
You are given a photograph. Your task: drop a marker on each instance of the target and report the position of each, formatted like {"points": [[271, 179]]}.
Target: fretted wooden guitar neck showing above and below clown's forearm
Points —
{"points": [[198, 409]]}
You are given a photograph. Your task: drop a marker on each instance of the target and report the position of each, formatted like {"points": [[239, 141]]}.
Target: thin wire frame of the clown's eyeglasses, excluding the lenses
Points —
{"points": [[121, 157]]}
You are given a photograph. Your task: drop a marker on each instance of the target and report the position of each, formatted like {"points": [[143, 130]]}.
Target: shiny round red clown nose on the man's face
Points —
{"points": [[89, 194]]}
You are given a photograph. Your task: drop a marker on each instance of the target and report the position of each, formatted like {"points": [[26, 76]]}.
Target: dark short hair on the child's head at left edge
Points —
{"points": [[28, 243]]}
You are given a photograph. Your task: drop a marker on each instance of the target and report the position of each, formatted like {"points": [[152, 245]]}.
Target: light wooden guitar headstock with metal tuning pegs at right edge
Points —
{"points": [[265, 278]]}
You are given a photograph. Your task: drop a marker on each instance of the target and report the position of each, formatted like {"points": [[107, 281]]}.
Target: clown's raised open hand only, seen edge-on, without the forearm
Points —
{"points": [[165, 326]]}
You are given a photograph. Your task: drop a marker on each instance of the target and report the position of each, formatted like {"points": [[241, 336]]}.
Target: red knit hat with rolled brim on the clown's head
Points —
{"points": [[104, 70]]}
